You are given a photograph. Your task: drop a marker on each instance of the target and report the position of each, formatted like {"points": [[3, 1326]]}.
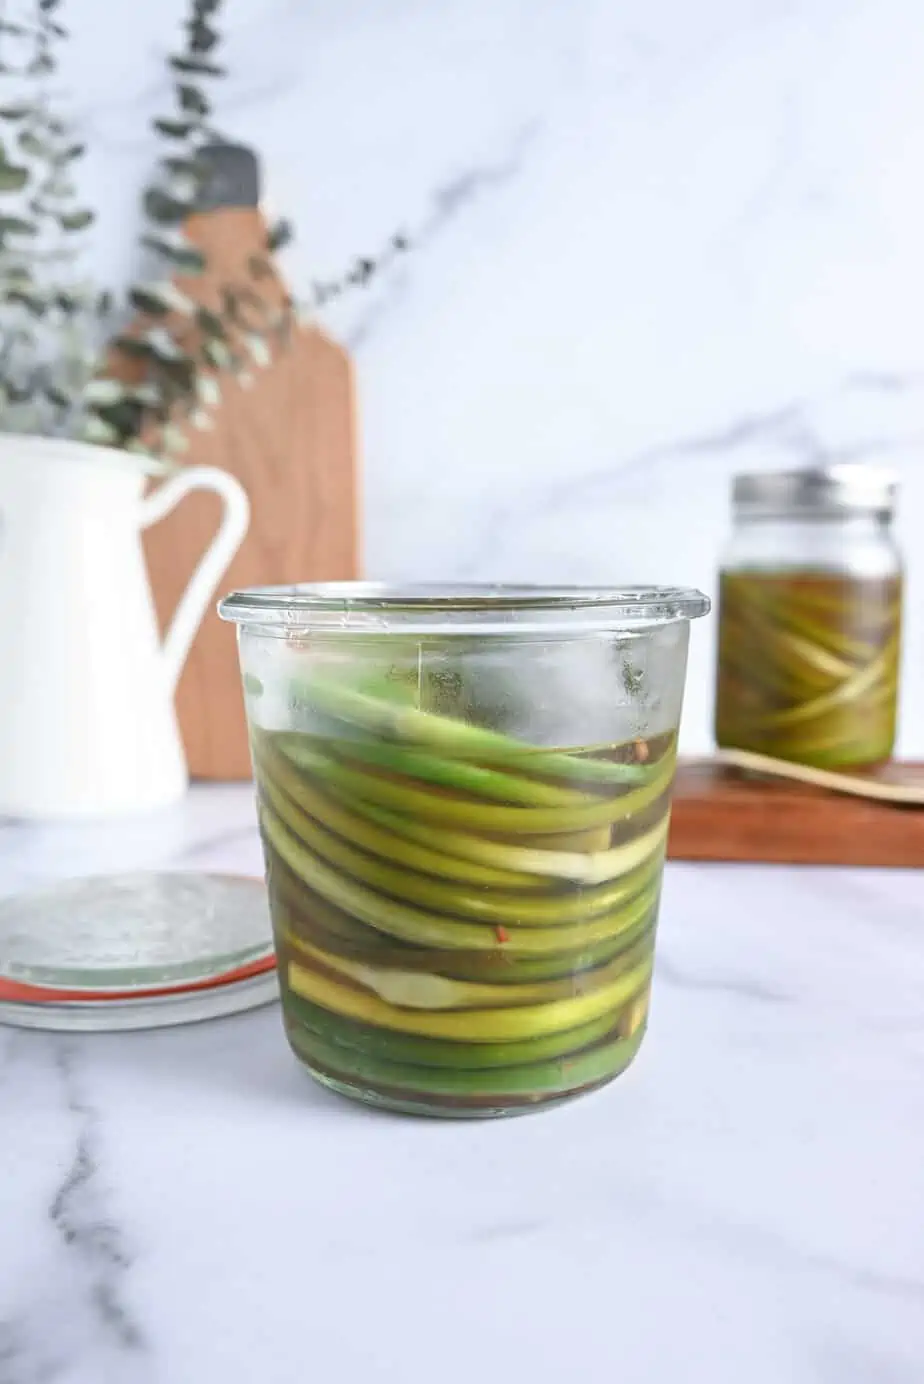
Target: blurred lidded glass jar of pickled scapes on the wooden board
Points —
{"points": [[811, 612]]}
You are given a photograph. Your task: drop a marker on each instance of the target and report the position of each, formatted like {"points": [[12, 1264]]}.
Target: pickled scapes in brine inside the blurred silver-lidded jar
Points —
{"points": [[808, 666]]}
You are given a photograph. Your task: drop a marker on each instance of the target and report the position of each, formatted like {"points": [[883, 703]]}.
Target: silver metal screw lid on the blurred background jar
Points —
{"points": [[824, 492]]}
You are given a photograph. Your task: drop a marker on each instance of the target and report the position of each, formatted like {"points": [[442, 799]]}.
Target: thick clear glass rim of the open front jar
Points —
{"points": [[460, 608]]}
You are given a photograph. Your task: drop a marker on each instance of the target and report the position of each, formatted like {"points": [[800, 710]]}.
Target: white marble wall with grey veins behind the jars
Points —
{"points": [[655, 243]]}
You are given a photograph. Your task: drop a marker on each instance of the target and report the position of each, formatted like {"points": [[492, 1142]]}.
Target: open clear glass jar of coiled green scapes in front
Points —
{"points": [[464, 801]]}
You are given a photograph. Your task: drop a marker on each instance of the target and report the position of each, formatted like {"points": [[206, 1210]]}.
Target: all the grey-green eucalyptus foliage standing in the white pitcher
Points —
{"points": [[55, 374]]}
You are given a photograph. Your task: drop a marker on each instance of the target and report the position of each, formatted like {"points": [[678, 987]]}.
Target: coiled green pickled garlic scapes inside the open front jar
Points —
{"points": [[463, 920]]}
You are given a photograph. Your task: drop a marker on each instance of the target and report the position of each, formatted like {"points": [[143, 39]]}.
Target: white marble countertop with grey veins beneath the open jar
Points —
{"points": [[748, 1205]]}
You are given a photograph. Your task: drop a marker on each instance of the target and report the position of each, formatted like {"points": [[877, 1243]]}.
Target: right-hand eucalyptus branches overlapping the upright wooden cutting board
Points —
{"points": [[178, 351]]}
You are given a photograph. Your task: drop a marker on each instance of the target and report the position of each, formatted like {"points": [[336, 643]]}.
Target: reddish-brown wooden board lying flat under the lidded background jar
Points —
{"points": [[721, 814]]}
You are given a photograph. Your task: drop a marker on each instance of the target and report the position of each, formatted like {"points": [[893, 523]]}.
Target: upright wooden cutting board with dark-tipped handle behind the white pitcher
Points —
{"points": [[290, 438]]}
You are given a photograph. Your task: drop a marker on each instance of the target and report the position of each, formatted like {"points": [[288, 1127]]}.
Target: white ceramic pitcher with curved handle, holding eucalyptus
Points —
{"points": [[88, 726]]}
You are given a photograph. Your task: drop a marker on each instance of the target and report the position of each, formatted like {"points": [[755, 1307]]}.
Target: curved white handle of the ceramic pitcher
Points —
{"points": [[214, 563]]}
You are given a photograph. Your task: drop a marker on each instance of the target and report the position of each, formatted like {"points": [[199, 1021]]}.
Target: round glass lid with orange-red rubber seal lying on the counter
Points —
{"points": [[132, 951]]}
